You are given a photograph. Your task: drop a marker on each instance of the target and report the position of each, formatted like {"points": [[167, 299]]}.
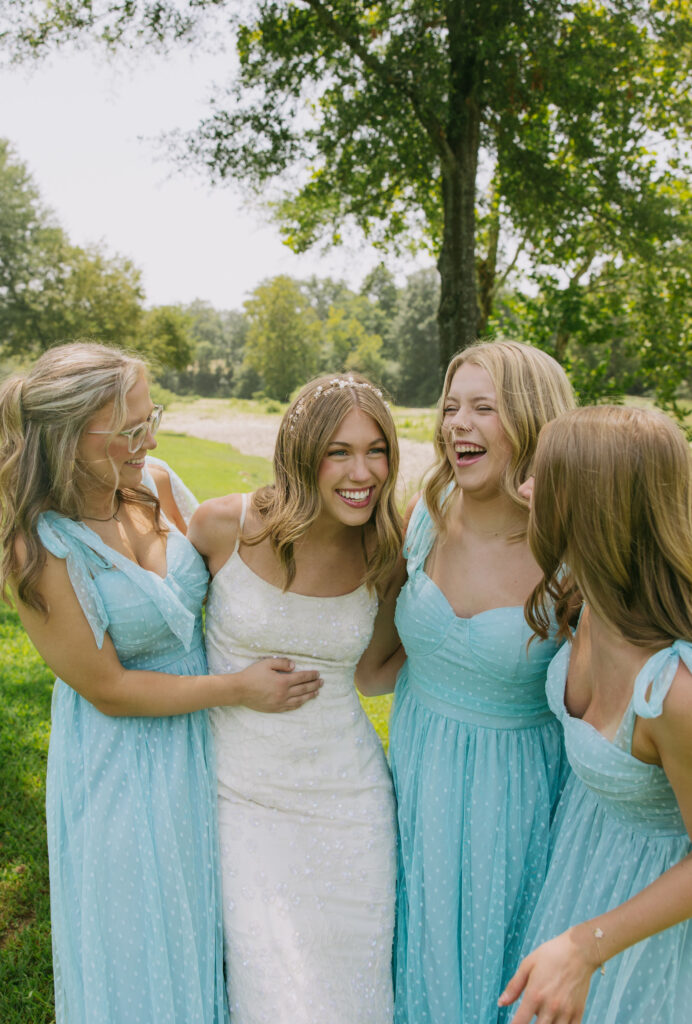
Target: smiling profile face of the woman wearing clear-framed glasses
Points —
{"points": [[107, 457]]}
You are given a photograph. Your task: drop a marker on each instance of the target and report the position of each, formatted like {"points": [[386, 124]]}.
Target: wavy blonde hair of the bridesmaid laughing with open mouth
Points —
{"points": [[532, 389]]}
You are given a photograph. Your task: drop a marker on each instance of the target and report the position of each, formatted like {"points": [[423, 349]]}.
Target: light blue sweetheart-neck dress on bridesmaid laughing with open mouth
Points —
{"points": [[479, 763]]}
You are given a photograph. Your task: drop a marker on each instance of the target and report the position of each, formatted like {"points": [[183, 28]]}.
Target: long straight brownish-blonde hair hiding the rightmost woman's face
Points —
{"points": [[613, 501]]}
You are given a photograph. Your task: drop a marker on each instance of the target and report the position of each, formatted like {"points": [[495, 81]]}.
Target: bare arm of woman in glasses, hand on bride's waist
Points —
{"points": [[65, 641]]}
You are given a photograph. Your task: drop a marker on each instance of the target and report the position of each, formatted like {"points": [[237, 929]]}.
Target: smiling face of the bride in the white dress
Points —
{"points": [[355, 470]]}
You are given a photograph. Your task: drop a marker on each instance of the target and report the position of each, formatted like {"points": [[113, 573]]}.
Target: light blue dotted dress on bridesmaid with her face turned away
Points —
{"points": [[617, 830]]}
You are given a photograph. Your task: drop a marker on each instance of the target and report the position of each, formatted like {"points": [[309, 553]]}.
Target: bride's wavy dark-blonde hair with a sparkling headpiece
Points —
{"points": [[292, 504]]}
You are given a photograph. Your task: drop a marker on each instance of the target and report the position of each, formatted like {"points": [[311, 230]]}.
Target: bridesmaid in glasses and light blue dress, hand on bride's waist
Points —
{"points": [[112, 599]]}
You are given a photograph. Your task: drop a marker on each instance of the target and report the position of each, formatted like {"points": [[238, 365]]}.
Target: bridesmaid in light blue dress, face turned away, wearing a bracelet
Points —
{"points": [[614, 915]]}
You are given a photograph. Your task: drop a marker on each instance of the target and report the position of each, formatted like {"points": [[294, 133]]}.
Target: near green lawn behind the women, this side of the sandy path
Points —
{"points": [[26, 686]]}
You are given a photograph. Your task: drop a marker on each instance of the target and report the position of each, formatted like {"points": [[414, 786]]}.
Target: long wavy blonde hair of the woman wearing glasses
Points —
{"points": [[42, 416]]}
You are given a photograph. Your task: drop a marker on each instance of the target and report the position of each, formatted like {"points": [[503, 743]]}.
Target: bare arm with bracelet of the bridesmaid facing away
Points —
{"points": [[555, 977]]}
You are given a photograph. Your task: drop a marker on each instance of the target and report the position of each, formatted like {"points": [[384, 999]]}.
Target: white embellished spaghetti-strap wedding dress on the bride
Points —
{"points": [[307, 816]]}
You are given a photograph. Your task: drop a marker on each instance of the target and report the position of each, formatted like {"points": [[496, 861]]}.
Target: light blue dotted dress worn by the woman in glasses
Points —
{"points": [[132, 806]]}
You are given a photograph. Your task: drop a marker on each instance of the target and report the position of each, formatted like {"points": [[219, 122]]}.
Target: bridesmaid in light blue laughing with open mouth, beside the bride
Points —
{"points": [[477, 755]]}
